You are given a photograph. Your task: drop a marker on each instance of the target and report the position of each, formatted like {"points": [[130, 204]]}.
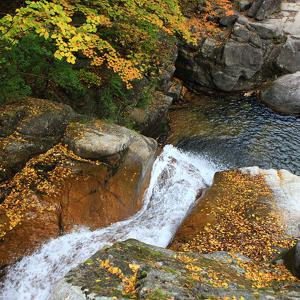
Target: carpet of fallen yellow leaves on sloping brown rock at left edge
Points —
{"points": [[22, 201]]}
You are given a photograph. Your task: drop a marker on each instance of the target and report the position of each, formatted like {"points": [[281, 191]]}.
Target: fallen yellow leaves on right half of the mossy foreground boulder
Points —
{"points": [[218, 273]]}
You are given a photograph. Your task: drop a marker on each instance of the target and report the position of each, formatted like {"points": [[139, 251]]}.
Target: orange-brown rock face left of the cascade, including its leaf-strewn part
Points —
{"points": [[88, 194]]}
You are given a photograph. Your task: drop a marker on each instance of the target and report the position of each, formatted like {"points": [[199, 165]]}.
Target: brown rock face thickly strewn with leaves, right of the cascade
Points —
{"points": [[237, 214]]}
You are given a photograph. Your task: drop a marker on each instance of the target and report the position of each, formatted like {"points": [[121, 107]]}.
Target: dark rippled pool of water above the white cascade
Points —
{"points": [[240, 132]]}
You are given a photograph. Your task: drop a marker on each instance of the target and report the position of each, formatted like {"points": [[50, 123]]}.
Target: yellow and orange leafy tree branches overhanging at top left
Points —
{"points": [[73, 26]]}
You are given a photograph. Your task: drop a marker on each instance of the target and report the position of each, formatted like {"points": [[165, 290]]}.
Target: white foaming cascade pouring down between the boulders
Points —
{"points": [[175, 181]]}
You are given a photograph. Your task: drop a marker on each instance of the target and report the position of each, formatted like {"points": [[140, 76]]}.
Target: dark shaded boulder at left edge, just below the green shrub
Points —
{"points": [[28, 128]]}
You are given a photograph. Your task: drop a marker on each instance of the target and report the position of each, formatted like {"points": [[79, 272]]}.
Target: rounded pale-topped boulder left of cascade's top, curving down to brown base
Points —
{"points": [[128, 154]]}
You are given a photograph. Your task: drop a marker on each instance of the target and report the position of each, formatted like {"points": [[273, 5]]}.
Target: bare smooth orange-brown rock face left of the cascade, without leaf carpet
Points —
{"points": [[95, 199]]}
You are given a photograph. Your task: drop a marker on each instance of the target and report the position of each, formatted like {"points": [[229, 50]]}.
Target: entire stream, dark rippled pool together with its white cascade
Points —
{"points": [[240, 132]]}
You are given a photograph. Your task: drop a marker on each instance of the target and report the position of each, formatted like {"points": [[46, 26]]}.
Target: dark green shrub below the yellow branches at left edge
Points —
{"points": [[29, 68]]}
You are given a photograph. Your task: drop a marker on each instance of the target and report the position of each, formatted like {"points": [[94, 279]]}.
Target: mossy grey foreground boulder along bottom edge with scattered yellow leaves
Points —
{"points": [[135, 270]]}
